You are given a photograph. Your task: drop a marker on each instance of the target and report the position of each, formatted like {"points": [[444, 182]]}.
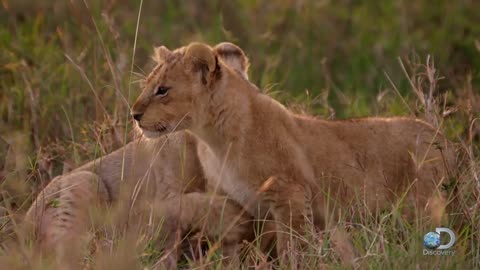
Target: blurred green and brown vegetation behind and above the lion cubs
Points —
{"points": [[65, 80]]}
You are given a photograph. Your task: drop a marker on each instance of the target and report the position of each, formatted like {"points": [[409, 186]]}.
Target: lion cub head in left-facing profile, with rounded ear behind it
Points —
{"points": [[180, 77]]}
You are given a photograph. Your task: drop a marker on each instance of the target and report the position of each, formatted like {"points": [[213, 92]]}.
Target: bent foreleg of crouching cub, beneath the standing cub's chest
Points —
{"points": [[215, 217]]}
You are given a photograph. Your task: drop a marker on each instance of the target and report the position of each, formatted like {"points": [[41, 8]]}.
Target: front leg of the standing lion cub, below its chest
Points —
{"points": [[290, 205]]}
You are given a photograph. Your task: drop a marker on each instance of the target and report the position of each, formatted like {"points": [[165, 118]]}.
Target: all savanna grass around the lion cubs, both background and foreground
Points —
{"points": [[69, 70]]}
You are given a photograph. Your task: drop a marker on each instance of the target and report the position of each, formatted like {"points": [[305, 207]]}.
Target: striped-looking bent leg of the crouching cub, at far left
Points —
{"points": [[59, 217]]}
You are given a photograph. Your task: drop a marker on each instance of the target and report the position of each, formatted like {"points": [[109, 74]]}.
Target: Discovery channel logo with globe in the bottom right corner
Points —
{"points": [[433, 242]]}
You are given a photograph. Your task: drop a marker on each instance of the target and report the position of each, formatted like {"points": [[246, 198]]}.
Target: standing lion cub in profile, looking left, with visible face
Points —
{"points": [[295, 167]]}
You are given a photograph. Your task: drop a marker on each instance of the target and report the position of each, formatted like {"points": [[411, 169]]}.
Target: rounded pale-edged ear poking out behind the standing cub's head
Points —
{"points": [[233, 56]]}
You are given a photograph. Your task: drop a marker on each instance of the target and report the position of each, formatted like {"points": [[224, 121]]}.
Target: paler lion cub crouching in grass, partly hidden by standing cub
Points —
{"points": [[162, 172]]}
